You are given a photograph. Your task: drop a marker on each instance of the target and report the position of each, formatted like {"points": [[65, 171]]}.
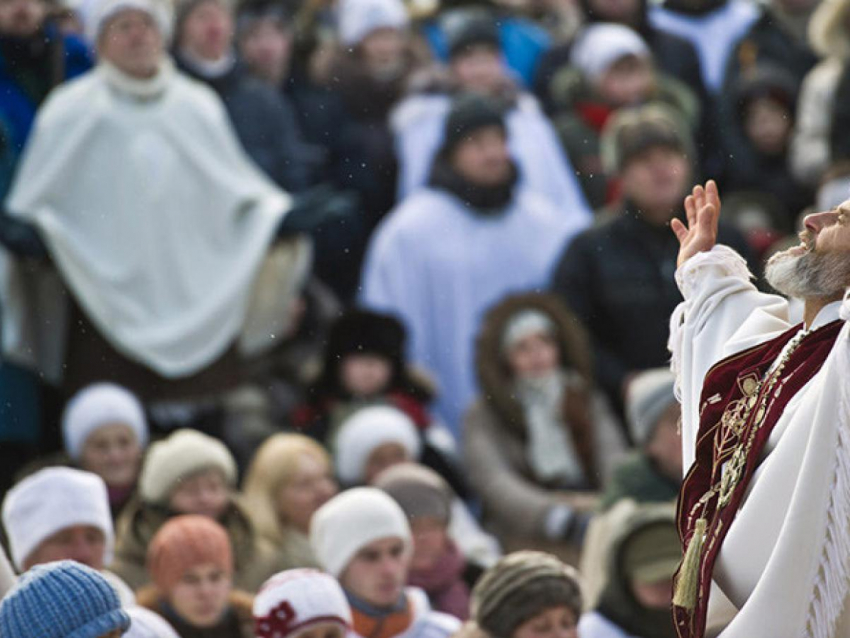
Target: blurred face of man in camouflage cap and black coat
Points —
{"points": [[655, 181]]}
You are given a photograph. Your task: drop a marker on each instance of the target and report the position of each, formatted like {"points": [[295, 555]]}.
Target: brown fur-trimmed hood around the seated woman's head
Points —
{"points": [[494, 377]]}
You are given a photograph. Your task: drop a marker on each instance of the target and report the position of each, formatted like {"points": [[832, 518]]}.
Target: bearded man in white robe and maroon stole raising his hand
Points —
{"points": [[764, 511]]}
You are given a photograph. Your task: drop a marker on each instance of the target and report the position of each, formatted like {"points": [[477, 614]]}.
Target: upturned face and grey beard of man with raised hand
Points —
{"points": [[820, 266]]}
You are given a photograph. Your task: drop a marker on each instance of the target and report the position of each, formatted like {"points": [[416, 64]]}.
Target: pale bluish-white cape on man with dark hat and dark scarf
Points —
{"points": [[439, 267]]}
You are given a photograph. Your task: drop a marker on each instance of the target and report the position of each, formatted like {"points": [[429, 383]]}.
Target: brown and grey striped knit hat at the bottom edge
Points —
{"points": [[520, 586]]}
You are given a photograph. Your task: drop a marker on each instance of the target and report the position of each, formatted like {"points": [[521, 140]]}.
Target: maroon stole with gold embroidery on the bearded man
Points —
{"points": [[738, 411]]}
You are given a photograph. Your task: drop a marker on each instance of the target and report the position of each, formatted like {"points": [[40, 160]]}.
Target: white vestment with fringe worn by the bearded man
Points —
{"points": [[785, 563]]}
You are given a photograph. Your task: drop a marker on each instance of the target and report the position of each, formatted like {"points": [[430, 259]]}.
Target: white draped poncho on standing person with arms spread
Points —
{"points": [[153, 214]]}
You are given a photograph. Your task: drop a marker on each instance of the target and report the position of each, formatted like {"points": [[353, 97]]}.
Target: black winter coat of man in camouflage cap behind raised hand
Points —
{"points": [[618, 278]]}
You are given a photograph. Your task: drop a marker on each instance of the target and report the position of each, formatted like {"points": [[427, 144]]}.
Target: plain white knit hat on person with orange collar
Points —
{"points": [[350, 521]]}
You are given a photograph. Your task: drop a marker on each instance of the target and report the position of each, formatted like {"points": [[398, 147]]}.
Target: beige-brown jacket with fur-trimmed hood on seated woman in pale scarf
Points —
{"points": [[496, 433]]}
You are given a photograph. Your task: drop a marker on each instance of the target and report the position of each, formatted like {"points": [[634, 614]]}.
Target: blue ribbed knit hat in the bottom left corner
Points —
{"points": [[62, 600]]}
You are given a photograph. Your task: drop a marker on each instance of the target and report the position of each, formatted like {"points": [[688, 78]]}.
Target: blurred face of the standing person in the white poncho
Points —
{"points": [[132, 42]]}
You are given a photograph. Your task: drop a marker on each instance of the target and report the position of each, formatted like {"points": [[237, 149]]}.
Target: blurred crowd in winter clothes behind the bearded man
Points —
{"points": [[336, 318]]}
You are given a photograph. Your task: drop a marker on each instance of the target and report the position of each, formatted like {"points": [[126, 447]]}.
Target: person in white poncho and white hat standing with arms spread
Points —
{"points": [[156, 221]]}
